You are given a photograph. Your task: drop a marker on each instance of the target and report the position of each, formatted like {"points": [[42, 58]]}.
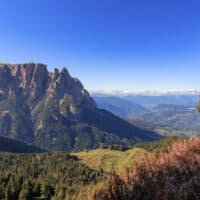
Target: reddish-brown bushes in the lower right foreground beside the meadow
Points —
{"points": [[174, 175]]}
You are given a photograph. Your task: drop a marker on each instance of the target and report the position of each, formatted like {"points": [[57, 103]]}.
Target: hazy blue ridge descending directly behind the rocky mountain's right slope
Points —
{"points": [[119, 106]]}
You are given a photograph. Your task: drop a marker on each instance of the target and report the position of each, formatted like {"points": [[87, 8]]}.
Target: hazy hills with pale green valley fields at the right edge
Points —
{"points": [[171, 120]]}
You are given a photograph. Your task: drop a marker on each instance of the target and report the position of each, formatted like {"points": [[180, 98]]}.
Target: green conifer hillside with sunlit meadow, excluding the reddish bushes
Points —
{"points": [[61, 176]]}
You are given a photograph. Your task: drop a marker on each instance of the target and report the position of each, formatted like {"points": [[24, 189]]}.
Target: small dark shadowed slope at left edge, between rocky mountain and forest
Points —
{"points": [[9, 145]]}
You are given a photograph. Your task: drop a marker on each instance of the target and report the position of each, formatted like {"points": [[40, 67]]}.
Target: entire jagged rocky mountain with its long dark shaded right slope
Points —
{"points": [[53, 110]]}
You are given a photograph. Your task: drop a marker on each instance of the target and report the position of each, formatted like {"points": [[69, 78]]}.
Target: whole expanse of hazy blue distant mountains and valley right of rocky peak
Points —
{"points": [[178, 117]]}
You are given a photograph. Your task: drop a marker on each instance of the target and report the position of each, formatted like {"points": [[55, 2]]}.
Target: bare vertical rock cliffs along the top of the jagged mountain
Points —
{"points": [[37, 83]]}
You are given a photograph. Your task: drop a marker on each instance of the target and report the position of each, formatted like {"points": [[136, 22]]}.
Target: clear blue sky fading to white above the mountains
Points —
{"points": [[107, 44]]}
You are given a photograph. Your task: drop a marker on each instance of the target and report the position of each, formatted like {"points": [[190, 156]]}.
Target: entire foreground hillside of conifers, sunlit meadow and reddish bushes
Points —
{"points": [[112, 172]]}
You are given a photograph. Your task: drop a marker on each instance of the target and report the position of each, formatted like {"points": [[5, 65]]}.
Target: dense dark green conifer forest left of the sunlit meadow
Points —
{"points": [[43, 176]]}
